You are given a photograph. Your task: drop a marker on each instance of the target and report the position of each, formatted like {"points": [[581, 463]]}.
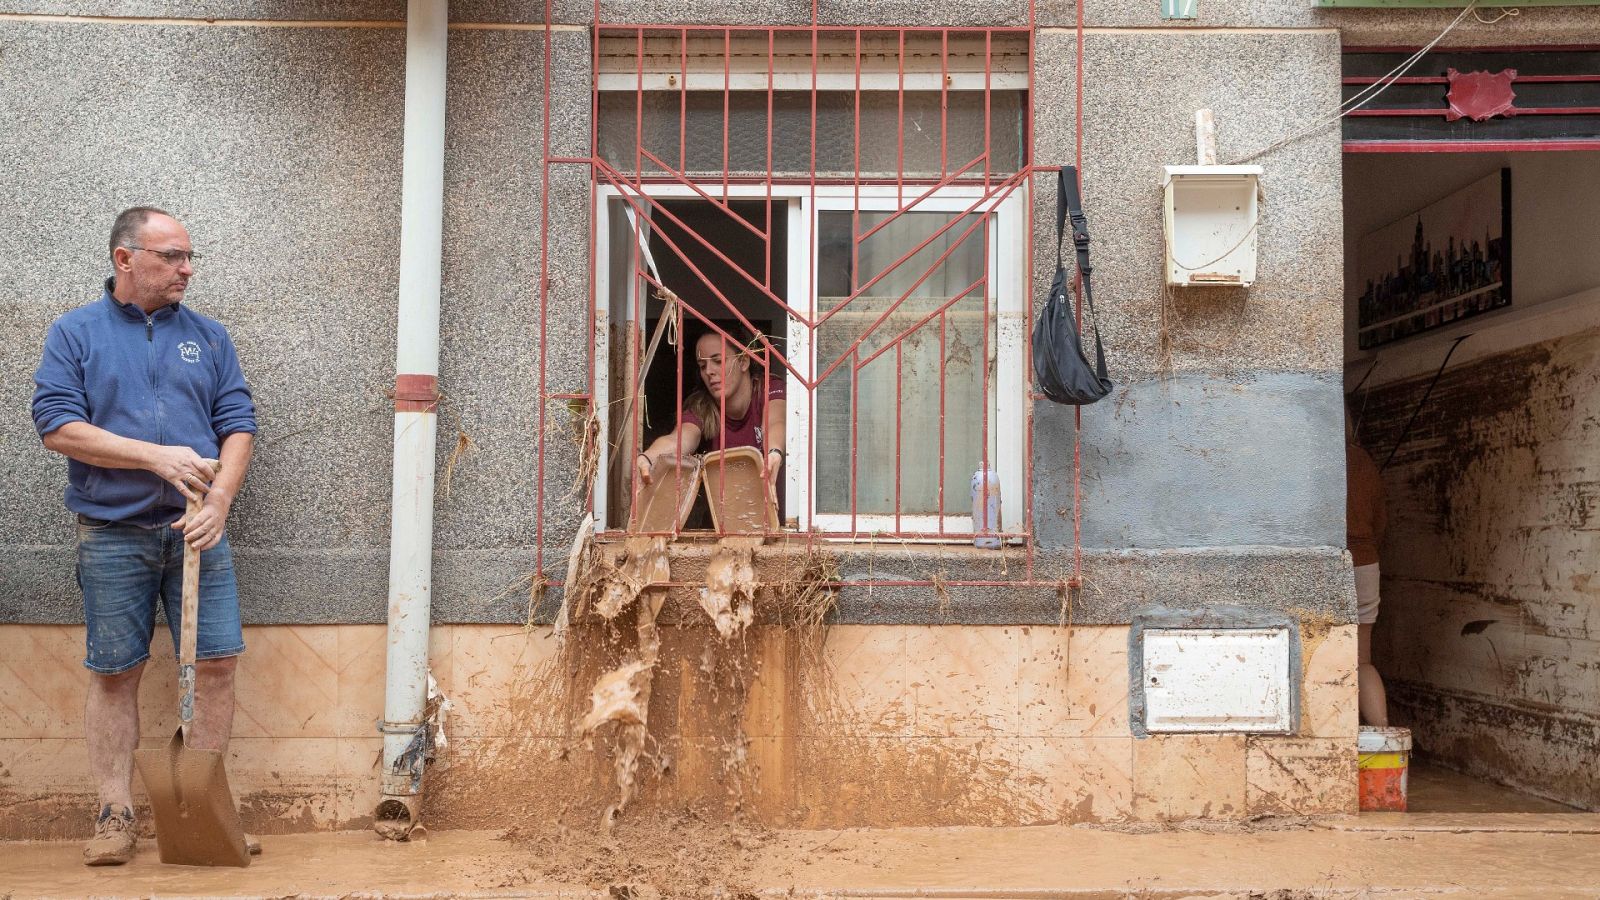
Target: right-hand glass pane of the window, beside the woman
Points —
{"points": [[913, 382]]}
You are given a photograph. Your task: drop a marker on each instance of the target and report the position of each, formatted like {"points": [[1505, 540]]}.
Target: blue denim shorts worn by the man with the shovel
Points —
{"points": [[126, 571]]}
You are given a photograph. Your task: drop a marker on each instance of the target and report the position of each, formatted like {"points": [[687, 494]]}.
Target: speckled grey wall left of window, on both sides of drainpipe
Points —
{"points": [[281, 150]]}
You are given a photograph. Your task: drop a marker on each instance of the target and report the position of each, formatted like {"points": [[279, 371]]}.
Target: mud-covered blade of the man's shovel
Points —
{"points": [[196, 819]]}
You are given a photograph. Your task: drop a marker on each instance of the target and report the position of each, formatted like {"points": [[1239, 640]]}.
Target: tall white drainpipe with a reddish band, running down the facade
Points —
{"points": [[417, 422]]}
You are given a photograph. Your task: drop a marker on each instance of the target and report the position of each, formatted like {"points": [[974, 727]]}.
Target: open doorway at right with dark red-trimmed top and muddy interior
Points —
{"points": [[1473, 363]]}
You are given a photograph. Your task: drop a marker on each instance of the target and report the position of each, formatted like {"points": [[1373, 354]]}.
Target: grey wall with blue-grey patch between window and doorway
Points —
{"points": [[1215, 451]]}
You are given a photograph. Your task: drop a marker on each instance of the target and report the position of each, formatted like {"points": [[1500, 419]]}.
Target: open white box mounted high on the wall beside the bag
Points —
{"points": [[1210, 217]]}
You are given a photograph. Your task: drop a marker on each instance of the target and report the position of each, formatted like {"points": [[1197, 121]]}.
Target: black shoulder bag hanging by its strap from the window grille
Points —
{"points": [[1060, 364]]}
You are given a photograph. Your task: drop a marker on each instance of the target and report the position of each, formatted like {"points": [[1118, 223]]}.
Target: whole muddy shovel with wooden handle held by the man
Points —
{"points": [[196, 819]]}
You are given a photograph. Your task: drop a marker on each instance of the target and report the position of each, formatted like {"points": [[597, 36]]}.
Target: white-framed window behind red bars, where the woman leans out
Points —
{"points": [[849, 206]]}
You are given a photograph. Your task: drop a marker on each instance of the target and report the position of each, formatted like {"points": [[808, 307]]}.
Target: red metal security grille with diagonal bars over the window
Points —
{"points": [[650, 191]]}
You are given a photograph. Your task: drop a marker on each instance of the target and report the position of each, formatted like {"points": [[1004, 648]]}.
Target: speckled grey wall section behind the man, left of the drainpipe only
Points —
{"points": [[281, 150]]}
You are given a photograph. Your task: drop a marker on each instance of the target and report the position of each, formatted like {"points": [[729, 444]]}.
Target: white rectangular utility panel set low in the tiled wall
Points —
{"points": [[1218, 680]]}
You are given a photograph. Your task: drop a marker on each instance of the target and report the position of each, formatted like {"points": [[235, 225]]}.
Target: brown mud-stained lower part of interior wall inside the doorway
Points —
{"points": [[1490, 625]]}
